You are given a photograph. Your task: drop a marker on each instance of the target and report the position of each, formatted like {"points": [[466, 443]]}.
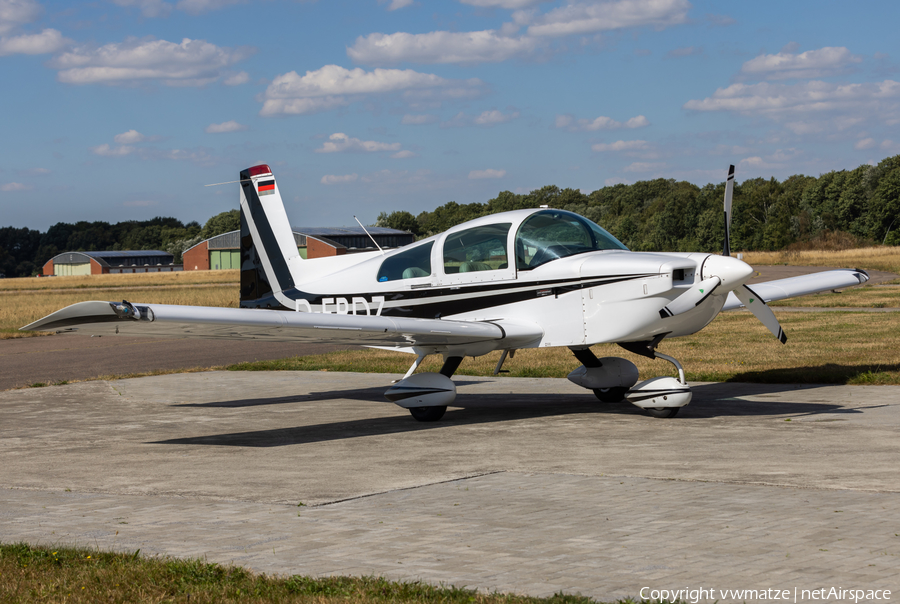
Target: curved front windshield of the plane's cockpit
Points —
{"points": [[553, 234]]}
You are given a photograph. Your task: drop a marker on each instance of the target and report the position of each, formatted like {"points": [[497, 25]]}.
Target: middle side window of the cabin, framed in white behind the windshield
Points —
{"points": [[477, 249]]}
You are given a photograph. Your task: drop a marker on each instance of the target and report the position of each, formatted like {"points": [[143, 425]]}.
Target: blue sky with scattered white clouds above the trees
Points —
{"points": [[123, 109]]}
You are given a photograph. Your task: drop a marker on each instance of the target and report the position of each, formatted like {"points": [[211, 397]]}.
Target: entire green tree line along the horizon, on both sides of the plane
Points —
{"points": [[653, 215]]}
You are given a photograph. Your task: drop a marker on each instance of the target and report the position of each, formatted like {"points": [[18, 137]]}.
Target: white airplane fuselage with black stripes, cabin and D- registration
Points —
{"points": [[486, 269]]}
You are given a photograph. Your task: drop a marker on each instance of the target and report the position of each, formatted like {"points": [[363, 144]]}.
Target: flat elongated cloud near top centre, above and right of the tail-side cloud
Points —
{"points": [[486, 46]]}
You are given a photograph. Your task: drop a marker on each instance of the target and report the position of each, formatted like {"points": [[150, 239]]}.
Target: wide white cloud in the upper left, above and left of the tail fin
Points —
{"points": [[190, 63]]}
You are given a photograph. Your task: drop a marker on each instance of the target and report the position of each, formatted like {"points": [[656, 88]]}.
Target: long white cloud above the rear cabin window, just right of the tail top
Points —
{"points": [[331, 86]]}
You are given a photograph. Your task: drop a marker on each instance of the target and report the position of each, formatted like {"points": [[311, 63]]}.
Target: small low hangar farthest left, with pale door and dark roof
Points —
{"points": [[99, 263]]}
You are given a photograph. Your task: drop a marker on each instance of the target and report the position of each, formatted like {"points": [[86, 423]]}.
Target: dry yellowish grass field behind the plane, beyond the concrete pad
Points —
{"points": [[841, 347]]}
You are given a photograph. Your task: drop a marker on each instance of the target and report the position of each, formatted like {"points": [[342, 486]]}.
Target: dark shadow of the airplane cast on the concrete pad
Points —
{"points": [[710, 401]]}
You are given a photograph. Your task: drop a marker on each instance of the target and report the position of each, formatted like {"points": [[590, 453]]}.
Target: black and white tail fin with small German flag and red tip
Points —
{"points": [[270, 261]]}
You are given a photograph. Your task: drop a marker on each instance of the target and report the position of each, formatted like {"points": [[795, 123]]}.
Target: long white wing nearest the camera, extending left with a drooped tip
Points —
{"points": [[170, 321]]}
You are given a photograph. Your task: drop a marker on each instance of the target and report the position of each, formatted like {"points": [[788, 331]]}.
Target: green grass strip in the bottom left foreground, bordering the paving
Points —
{"points": [[65, 574]]}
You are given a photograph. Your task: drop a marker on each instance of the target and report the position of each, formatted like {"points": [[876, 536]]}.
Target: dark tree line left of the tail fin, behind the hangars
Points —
{"points": [[24, 251]]}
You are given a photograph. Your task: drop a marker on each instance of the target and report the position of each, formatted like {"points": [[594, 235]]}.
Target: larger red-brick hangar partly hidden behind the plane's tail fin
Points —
{"points": [[224, 251]]}
